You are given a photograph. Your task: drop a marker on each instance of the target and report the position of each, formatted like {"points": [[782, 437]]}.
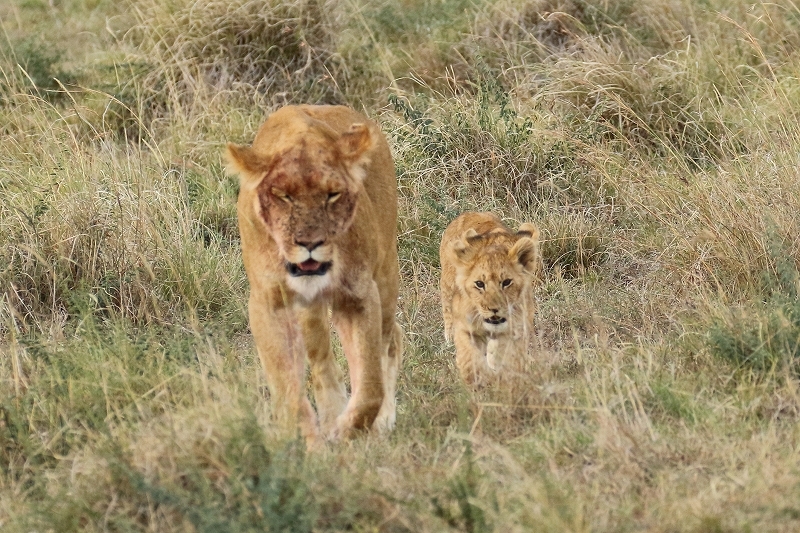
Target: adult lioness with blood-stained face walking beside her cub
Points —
{"points": [[317, 216]]}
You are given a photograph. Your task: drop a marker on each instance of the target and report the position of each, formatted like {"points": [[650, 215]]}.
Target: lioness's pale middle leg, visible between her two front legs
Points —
{"points": [[329, 390]]}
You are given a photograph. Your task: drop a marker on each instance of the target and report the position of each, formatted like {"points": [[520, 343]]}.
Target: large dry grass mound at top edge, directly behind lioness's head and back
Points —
{"points": [[285, 50]]}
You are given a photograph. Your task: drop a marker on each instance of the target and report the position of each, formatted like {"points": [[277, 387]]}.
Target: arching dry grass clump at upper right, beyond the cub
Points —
{"points": [[659, 106]]}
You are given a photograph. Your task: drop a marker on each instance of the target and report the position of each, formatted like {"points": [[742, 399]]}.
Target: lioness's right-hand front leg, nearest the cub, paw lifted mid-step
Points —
{"points": [[358, 323]]}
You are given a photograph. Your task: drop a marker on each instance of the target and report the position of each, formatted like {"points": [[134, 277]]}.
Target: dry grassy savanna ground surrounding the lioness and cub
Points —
{"points": [[655, 142]]}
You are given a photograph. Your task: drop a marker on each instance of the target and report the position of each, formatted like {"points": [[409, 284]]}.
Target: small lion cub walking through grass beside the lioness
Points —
{"points": [[487, 291]]}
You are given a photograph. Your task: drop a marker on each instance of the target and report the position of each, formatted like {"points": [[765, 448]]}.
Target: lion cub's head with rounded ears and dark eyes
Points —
{"points": [[494, 270]]}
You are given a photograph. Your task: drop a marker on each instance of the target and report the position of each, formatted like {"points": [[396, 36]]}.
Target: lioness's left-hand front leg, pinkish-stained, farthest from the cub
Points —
{"points": [[282, 351]]}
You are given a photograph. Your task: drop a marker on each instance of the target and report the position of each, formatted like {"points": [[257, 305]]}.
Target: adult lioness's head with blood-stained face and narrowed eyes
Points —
{"points": [[303, 182]]}
